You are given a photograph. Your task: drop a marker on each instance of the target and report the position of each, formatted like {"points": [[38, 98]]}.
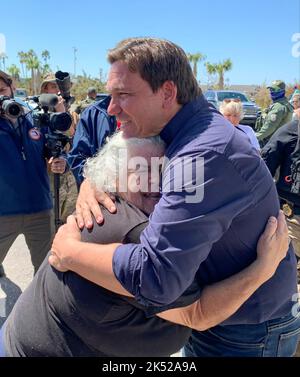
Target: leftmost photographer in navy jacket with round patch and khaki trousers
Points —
{"points": [[24, 184]]}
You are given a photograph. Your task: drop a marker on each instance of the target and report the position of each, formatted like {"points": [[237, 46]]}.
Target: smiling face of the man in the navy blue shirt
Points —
{"points": [[140, 111]]}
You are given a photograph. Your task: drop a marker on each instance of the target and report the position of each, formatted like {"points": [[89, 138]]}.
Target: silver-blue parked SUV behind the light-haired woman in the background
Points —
{"points": [[251, 110]]}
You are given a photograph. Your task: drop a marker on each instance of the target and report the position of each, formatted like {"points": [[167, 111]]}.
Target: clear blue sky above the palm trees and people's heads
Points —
{"points": [[261, 37]]}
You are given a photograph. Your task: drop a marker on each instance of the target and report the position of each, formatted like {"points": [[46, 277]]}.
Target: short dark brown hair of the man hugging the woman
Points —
{"points": [[158, 61]]}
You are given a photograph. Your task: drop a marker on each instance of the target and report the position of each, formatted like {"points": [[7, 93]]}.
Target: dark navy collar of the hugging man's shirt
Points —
{"points": [[180, 120]]}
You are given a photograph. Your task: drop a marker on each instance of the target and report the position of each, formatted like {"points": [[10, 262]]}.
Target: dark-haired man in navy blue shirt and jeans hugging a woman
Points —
{"points": [[217, 195]]}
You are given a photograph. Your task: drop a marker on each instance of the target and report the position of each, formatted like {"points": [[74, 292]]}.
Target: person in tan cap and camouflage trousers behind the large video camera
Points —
{"points": [[68, 189]]}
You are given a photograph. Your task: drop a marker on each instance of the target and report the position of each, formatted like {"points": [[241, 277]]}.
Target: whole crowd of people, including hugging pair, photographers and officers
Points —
{"points": [[177, 240]]}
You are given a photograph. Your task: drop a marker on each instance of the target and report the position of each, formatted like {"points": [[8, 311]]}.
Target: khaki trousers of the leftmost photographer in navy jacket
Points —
{"points": [[38, 231]]}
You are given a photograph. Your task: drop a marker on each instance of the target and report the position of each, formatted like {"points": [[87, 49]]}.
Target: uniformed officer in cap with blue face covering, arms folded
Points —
{"points": [[279, 113]]}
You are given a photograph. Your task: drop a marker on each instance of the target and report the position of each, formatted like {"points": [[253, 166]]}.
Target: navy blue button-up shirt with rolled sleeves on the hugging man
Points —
{"points": [[211, 233]]}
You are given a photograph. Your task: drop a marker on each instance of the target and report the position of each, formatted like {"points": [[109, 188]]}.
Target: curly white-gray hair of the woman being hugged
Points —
{"points": [[102, 170]]}
